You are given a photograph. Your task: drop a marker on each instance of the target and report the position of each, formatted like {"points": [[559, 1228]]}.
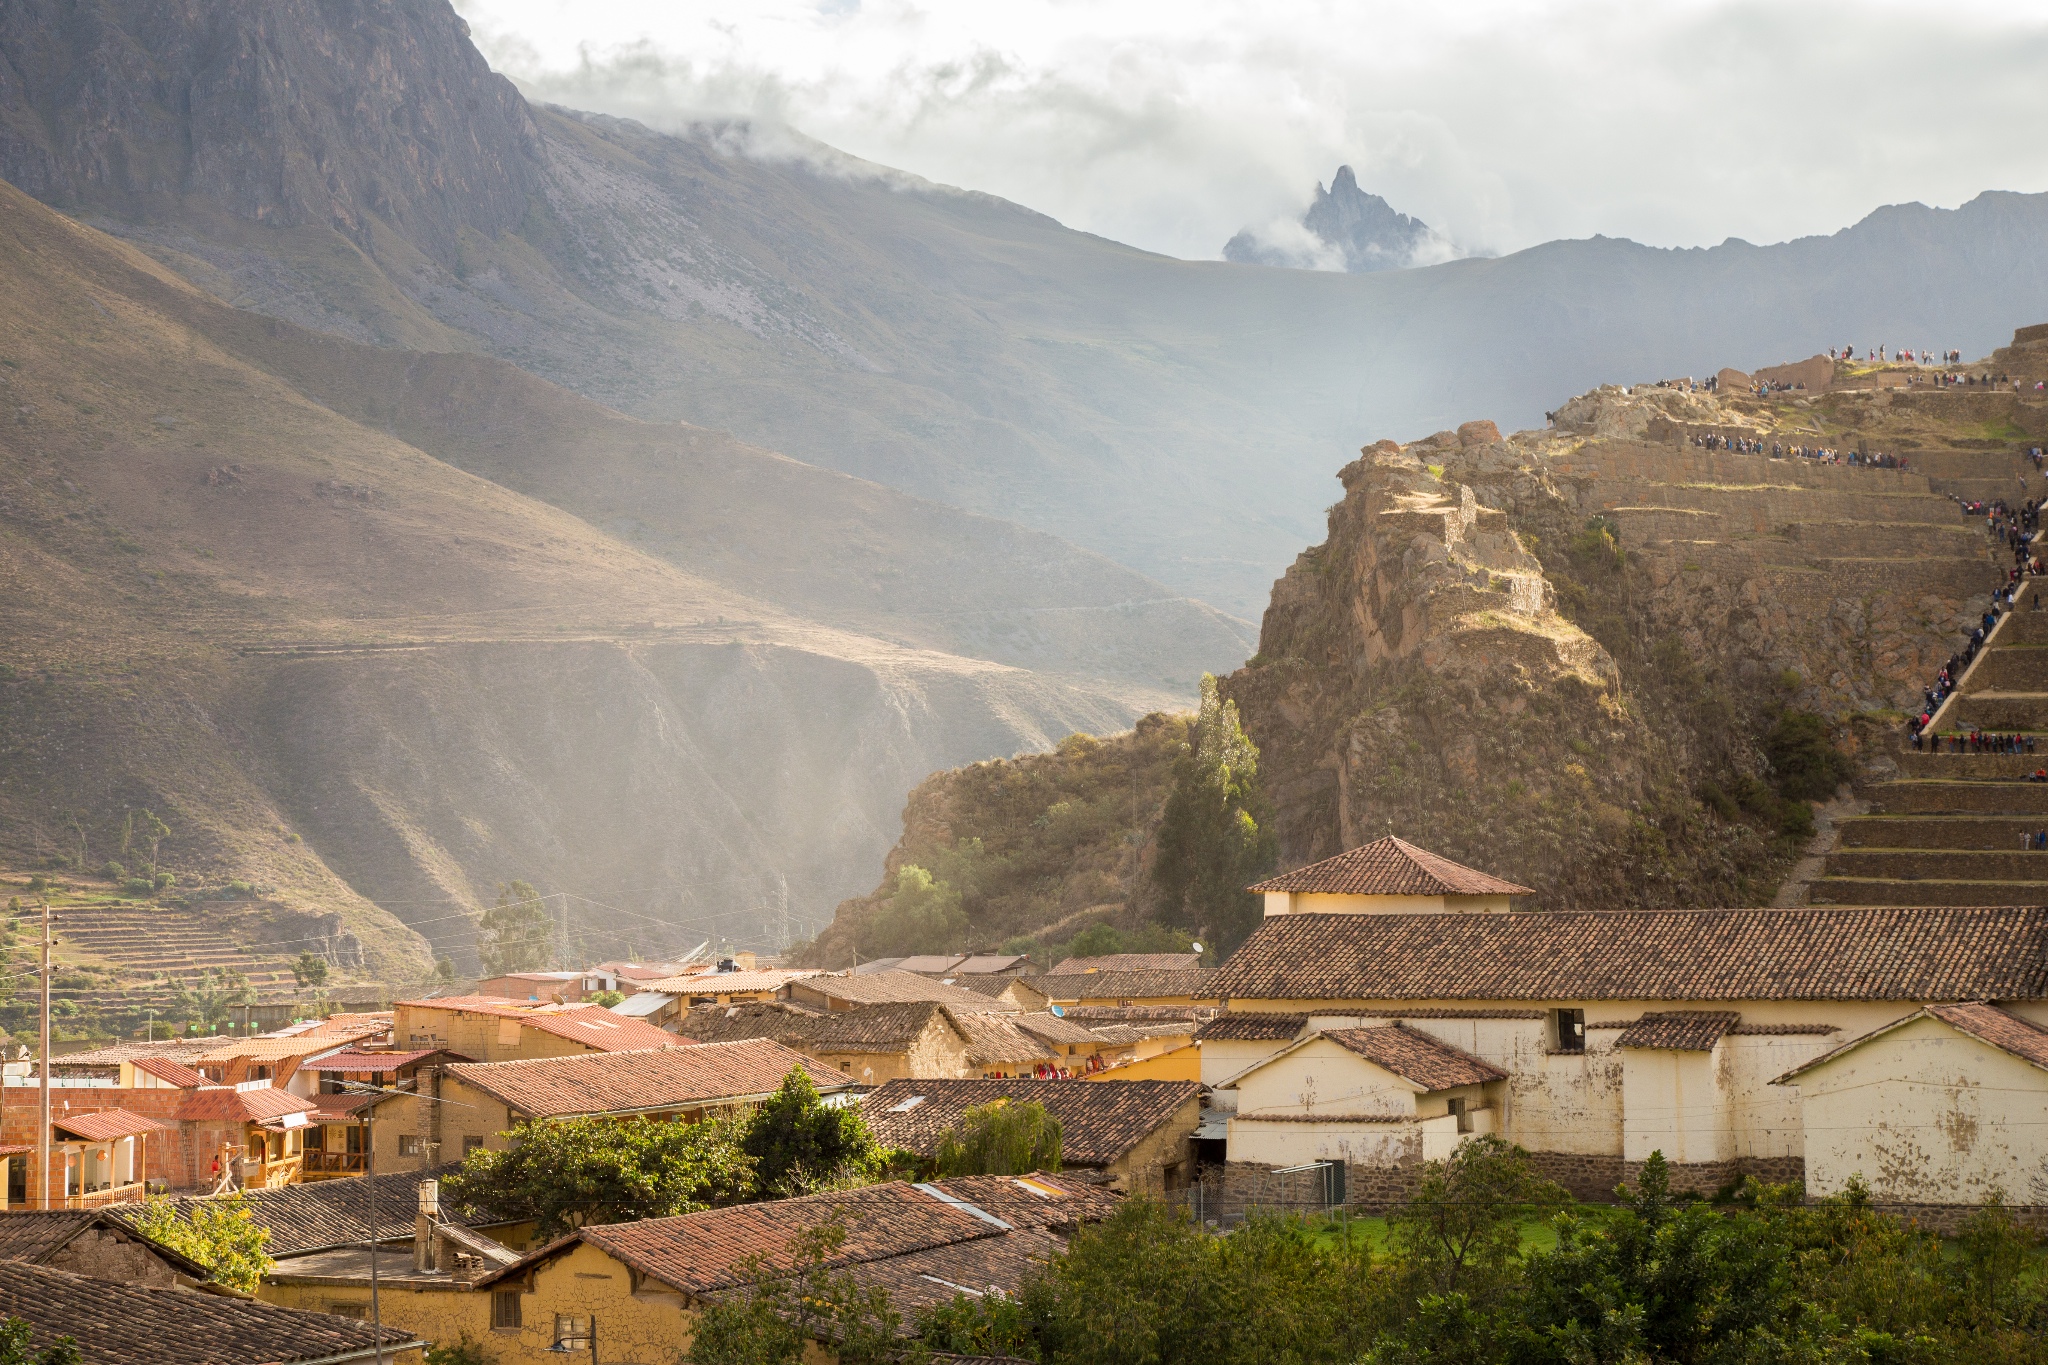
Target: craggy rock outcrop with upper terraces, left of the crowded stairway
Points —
{"points": [[1555, 656]]}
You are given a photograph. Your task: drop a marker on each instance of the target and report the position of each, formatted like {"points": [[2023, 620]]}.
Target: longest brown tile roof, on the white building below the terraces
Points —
{"points": [[1805, 955]]}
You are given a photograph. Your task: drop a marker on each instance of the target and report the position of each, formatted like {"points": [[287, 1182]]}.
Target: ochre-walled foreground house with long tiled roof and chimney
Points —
{"points": [[632, 1292]]}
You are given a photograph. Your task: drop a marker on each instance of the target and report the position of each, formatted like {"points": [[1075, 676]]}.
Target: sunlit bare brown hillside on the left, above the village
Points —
{"points": [[364, 680]]}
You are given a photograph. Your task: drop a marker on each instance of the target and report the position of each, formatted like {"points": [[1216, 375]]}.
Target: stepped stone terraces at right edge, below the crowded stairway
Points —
{"points": [[1951, 828]]}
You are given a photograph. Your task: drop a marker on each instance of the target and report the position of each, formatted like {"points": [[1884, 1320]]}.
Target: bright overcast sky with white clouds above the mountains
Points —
{"points": [[1172, 124]]}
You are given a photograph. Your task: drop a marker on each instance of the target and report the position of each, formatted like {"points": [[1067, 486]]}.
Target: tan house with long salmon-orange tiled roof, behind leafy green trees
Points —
{"points": [[476, 1106]]}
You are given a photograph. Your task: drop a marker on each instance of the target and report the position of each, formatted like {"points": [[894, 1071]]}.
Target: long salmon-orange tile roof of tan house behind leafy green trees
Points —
{"points": [[642, 1082]]}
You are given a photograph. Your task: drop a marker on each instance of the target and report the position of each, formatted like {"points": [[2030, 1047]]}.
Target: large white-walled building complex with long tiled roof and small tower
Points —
{"points": [[1619, 1034]]}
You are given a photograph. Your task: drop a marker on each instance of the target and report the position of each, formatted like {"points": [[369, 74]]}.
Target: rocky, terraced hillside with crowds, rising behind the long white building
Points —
{"points": [[1621, 662]]}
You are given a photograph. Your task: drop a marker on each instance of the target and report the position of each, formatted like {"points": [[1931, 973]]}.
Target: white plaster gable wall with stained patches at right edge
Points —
{"points": [[1928, 1116]]}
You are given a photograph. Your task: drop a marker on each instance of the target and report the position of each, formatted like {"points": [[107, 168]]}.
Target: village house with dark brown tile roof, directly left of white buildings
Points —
{"points": [[1134, 1137]]}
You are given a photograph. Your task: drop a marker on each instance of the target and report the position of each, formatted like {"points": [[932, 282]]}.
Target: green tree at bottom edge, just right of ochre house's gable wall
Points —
{"points": [[785, 1309]]}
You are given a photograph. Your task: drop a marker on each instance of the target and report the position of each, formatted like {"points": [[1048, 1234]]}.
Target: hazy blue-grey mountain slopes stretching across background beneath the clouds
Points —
{"points": [[1175, 416]]}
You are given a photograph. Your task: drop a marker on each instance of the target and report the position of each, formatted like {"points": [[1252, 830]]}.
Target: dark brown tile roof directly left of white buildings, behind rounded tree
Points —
{"points": [[1097, 1122]]}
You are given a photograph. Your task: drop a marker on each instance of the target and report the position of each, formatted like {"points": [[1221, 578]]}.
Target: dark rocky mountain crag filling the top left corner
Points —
{"points": [[284, 114]]}
